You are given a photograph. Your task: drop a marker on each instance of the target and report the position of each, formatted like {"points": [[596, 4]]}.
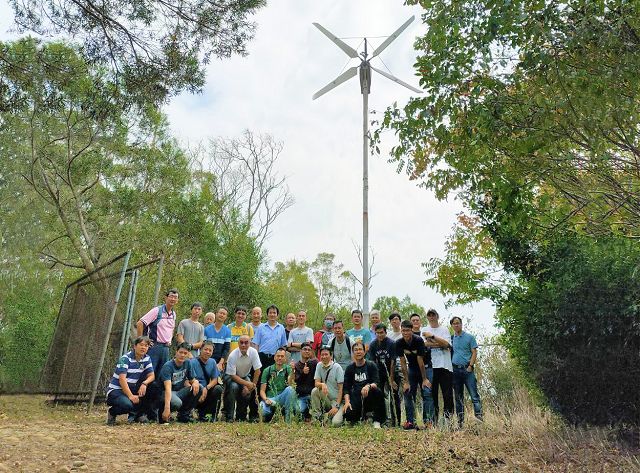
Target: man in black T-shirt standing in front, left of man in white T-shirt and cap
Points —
{"points": [[414, 374]]}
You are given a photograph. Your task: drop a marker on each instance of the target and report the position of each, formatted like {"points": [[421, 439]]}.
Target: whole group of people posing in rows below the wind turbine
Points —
{"points": [[245, 370]]}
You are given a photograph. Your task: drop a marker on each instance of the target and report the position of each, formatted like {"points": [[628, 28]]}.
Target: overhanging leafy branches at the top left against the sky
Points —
{"points": [[154, 49]]}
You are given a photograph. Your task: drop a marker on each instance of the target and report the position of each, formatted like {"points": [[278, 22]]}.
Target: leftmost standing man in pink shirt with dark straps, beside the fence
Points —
{"points": [[158, 325]]}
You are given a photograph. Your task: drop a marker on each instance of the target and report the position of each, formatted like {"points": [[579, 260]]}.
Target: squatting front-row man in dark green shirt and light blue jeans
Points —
{"points": [[275, 387]]}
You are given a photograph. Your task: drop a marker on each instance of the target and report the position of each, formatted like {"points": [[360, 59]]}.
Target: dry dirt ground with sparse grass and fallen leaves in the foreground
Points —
{"points": [[37, 437]]}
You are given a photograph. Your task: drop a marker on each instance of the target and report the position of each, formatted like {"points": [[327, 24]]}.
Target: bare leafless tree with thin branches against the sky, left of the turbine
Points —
{"points": [[247, 182]]}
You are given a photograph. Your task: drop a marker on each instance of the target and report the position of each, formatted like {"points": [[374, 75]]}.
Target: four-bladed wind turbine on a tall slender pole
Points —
{"points": [[365, 88]]}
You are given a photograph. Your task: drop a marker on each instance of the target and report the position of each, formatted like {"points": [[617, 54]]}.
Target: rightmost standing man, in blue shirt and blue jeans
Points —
{"points": [[465, 354]]}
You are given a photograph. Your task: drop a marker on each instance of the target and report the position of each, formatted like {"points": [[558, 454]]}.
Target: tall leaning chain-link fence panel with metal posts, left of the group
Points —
{"points": [[94, 327]]}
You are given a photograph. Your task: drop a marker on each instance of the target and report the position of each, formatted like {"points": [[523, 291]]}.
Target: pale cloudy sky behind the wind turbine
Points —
{"points": [[270, 90]]}
